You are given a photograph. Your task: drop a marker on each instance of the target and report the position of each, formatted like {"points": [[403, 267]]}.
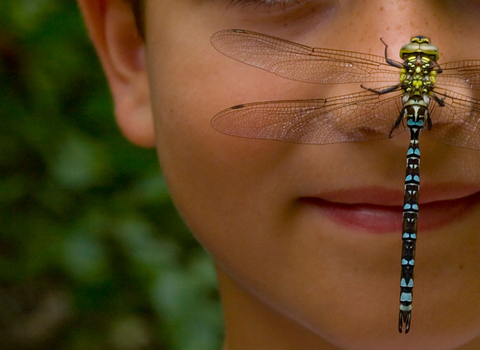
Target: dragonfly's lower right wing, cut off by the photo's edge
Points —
{"points": [[458, 122]]}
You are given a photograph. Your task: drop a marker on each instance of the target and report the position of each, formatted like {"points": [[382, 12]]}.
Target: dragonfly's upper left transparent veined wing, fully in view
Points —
{"points": [[303, 63]]}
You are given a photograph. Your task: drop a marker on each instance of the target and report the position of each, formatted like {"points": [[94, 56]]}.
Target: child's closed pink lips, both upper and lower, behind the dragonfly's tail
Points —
{"points": [[379, 211]]}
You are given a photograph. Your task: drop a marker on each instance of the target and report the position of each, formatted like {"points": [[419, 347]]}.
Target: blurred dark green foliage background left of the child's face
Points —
{"points": [[92, 252]]}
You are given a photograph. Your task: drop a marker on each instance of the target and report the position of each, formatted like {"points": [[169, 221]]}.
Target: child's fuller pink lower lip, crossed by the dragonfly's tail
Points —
{"points": [[380, 219]]}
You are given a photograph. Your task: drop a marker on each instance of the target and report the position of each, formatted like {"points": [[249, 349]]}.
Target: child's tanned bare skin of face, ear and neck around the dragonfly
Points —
{"points": [[290, 277]]}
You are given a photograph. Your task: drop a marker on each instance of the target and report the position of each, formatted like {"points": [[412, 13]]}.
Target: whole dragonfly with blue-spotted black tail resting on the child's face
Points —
{"points": [[413, 100]]}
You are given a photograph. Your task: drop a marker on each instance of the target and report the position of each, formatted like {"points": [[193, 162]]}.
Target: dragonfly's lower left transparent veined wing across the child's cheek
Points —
{"points": [[360, 116]]}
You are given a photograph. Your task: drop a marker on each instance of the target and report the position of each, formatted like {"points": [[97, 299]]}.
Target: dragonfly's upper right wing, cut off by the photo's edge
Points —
{"points": [[464, 74]]}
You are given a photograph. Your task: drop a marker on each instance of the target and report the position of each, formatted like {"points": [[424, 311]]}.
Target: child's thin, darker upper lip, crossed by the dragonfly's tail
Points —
{"points": [[377, 195]]}
